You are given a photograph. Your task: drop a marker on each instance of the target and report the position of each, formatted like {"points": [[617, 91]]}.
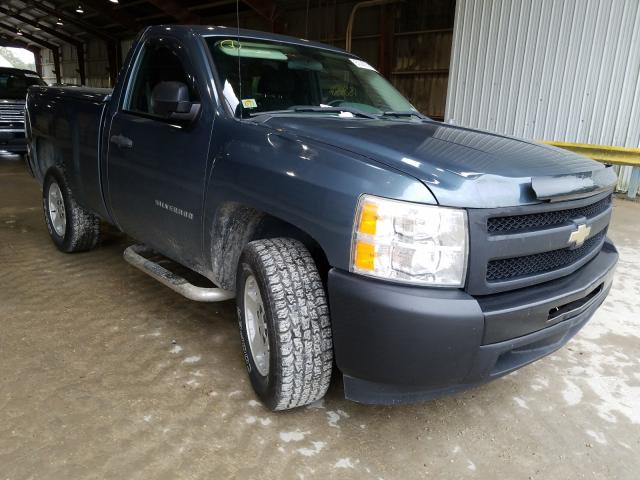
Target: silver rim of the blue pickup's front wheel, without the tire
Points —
{"points": [[256, 325]]}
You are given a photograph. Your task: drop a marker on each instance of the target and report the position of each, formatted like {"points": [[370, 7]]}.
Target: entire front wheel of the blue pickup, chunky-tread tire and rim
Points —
{"points": [[284, 323]]}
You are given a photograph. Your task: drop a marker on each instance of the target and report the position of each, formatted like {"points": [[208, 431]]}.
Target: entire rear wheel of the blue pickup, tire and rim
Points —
{"points": [[70, 226]]}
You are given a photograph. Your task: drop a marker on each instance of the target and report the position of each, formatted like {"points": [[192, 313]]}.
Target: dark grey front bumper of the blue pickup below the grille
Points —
{"points": [[397, 343]]}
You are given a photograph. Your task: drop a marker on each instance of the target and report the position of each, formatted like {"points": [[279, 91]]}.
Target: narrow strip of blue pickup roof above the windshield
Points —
{"points": [[222, 31]]}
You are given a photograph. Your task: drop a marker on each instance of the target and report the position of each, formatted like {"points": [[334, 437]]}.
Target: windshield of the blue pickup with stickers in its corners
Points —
{"points": [[278, 76]]}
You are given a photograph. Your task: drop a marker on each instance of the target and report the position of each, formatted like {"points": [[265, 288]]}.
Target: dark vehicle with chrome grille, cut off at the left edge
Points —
{"points": [[14, 83]]}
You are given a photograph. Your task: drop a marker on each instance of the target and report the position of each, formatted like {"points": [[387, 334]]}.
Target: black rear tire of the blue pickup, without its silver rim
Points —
{"points": [[82, 230]]}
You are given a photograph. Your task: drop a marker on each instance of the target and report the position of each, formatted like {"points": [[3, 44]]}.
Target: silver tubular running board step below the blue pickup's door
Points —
{"points": [[134, 256]]}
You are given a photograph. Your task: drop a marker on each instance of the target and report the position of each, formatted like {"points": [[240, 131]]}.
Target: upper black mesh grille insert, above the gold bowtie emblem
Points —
{"points": [[534, 221]]}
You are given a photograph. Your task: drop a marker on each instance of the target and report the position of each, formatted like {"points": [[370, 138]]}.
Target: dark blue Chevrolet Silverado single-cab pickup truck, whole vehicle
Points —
{"points": [[418, 258]]}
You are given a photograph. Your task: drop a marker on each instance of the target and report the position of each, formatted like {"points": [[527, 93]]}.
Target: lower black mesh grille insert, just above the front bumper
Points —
{"points": [[512, 268]]}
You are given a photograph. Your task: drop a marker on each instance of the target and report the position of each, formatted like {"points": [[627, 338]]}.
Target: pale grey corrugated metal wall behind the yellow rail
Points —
{"points": [[566, 70]]}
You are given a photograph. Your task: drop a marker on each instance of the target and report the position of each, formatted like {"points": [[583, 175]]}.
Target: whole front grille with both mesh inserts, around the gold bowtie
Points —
{"points": [[524, 232]]}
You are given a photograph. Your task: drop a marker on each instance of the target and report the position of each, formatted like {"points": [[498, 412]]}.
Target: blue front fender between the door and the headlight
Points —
{"points": [[311, 185]]}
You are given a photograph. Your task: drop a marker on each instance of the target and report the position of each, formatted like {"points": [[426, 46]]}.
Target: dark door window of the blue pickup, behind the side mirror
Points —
{"points": [[159, 63]]}
